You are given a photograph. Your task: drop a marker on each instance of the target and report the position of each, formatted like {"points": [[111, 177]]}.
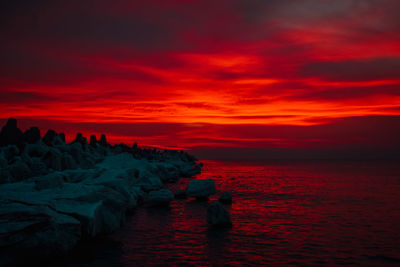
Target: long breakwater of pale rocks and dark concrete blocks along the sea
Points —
{"points": [[52, 194]]}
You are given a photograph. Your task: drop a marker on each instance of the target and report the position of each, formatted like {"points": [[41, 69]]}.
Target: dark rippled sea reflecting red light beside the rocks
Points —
{"points": [[283, 213]]}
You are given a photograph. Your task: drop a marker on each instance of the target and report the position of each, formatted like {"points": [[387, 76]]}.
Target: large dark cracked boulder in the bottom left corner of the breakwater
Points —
{"points": [[34, 232]]}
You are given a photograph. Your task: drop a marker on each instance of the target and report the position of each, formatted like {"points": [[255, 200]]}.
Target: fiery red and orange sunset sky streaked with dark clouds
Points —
{"points": [[223, 79]]}
